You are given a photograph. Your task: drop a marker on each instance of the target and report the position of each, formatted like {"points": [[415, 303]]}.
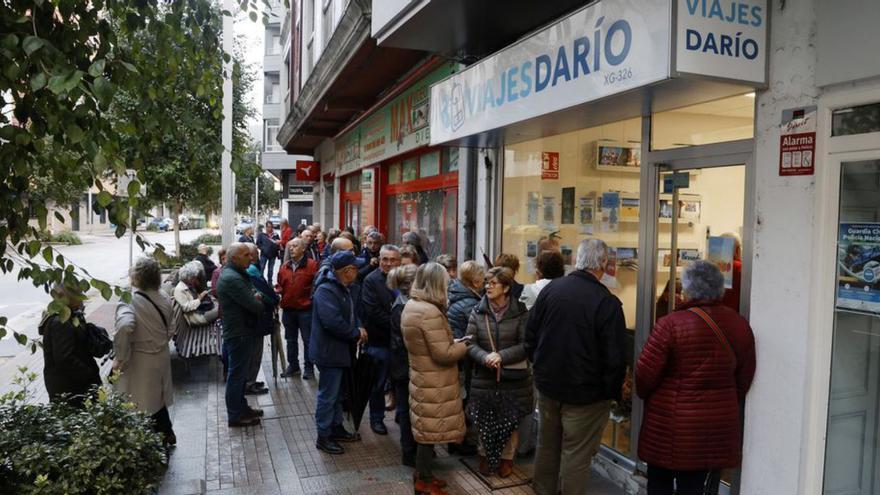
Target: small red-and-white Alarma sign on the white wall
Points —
{"points": [[797, 144]]}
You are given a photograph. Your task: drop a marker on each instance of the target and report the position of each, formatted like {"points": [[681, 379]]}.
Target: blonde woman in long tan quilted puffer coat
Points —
{"points": [[435, 398]]}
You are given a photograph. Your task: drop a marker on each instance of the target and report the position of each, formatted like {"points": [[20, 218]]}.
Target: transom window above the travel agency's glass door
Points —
{"points": [[727, 119]]}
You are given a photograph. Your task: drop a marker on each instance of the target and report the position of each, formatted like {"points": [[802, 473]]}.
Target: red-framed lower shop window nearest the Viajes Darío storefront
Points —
{"points": [[430, 213]]}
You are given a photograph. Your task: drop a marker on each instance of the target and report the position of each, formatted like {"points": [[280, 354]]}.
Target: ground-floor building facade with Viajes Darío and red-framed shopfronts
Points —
{"points": [[664, 127]]}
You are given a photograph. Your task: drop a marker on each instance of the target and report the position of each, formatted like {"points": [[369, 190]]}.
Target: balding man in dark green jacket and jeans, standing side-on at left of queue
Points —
{"points": [[241, 305]]}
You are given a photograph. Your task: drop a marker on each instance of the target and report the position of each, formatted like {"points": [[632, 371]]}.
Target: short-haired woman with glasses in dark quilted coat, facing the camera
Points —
{"points": [[497, 329]]}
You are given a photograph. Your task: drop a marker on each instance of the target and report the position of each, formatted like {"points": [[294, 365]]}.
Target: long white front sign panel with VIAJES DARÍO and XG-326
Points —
{"points": [[604, 49]]}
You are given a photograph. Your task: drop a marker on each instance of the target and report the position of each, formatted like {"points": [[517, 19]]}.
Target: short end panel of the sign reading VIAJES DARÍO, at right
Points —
{"points": [[723, 39]]}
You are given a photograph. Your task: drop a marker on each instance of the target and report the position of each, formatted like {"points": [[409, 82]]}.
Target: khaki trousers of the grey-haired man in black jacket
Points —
{"points": [[568, 439]]}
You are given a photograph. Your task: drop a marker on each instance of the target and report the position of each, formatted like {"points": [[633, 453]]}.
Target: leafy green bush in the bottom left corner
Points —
{"points": [[109, 447]]}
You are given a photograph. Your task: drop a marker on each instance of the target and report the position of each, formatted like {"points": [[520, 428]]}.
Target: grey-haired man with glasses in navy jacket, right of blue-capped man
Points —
{"points": [[376, 301]]}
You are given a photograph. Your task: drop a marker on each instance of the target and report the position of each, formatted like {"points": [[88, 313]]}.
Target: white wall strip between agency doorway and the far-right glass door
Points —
{"points": [[781, 275]]}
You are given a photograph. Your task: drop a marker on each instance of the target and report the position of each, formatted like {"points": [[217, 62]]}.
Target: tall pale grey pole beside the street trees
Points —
{"points": [[227, 197]]}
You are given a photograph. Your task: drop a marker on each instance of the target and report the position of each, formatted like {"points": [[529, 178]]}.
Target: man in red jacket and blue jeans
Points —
{"points": [[295, 286]]}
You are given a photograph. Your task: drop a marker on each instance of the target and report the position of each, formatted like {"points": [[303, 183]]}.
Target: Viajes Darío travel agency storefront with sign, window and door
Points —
{"points": [[631, 121]]}
